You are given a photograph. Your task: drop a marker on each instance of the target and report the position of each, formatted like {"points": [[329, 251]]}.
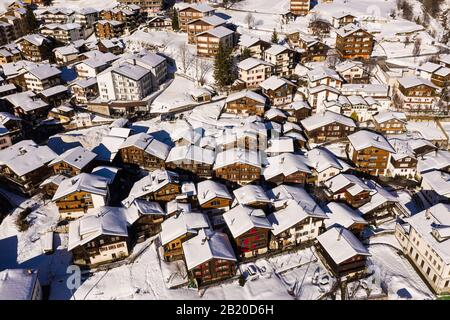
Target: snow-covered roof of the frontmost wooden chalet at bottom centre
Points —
{"points": [[207, 245]]}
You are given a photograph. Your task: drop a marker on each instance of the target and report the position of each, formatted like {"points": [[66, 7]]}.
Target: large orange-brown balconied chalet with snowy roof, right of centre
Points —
{"points": [[370, 152]]}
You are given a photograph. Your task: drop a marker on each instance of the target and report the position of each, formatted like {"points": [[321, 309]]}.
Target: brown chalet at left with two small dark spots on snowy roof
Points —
{"points": [[73, 162]]}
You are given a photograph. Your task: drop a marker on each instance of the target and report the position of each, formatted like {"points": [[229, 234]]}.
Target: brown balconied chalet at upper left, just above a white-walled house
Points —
{"points": [[35, 47]]}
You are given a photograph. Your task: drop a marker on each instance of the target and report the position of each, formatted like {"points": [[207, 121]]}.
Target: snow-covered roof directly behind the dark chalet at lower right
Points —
{"points": [[342, 215]]}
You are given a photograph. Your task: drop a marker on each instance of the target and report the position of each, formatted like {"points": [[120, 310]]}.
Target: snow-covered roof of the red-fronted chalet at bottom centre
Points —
{"points": [[241, 219]]}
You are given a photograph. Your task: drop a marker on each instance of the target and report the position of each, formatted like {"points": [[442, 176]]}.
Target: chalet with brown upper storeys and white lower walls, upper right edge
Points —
{"points": [[417, 94]]}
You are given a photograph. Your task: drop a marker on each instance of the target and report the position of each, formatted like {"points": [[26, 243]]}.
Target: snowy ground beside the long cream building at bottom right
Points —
{"points": [[398, 274]]}
